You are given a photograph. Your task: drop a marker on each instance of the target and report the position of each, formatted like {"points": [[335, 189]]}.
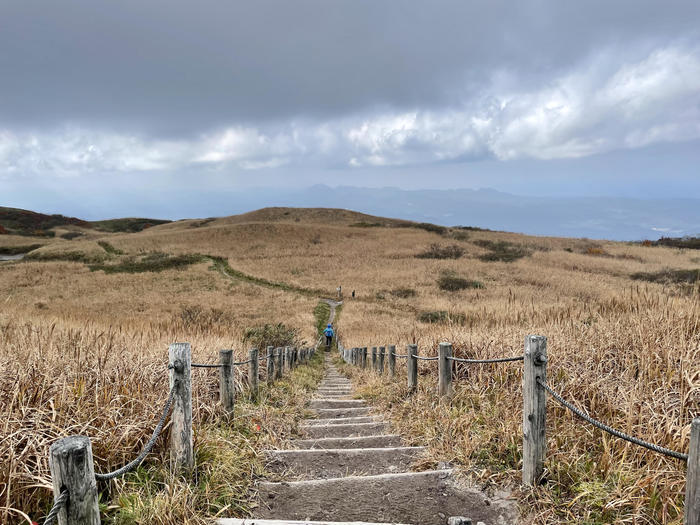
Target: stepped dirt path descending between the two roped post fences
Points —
{"points": [[350, 468]]}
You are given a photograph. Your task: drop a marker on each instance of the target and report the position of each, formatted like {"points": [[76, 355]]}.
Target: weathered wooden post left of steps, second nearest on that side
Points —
{"points": [[180, 364]]}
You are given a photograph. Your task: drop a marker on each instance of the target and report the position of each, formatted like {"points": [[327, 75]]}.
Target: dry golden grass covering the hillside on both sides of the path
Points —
{"points": [[625, 350]]}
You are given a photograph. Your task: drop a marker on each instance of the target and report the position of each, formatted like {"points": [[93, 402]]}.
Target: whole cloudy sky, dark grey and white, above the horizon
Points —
{"points": [[121, 103]]}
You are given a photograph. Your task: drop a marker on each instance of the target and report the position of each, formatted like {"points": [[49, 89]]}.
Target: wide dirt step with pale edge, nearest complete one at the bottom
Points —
{"points": [[425, 498]]}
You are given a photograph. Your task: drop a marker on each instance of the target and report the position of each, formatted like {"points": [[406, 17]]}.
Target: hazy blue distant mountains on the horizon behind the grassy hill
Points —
{"points": [[596, 218]]}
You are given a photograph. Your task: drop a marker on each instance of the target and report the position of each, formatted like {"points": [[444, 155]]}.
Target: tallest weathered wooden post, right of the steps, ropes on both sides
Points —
{"points": [[534, 408]]}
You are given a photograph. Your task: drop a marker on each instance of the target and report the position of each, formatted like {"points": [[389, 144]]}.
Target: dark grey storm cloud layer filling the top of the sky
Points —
{"points": [[173, 68]]}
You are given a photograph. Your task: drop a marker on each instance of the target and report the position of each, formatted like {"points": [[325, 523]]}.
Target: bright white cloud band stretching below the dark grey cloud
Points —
{"points": [[590, 110]]}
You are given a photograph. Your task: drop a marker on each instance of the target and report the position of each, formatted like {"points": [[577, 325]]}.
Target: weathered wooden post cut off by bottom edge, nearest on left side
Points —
{"points": [[70, 460]]}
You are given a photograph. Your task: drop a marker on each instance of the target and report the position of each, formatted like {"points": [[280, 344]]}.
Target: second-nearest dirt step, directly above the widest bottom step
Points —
{"points": [[338, 463]]}
